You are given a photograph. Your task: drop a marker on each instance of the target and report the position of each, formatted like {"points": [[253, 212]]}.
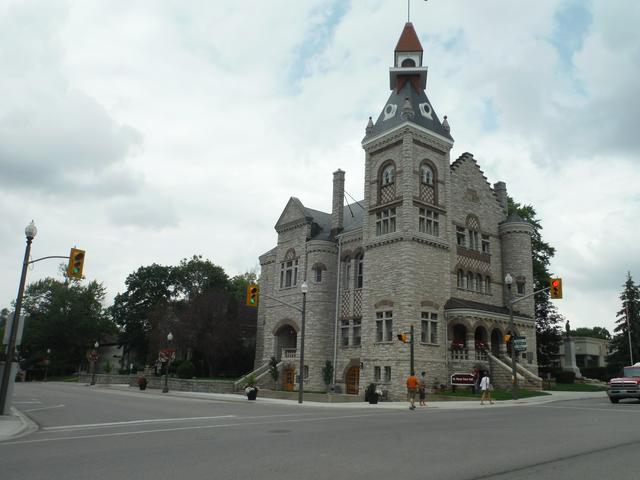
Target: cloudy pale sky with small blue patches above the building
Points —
{"points": [[149, 131]]}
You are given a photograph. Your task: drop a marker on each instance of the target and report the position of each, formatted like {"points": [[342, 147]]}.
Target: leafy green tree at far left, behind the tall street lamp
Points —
{"points": [[65, 316]]}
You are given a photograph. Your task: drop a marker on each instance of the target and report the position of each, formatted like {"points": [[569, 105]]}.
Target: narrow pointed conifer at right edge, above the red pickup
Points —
{"points": [[628, 317]]}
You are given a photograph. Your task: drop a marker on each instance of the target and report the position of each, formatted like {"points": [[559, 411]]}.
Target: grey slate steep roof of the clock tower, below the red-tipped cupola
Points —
{"points": [[415, 98]]}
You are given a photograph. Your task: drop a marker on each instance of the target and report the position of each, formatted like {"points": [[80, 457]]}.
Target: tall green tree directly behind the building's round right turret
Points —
{"points": [[548, 319]]}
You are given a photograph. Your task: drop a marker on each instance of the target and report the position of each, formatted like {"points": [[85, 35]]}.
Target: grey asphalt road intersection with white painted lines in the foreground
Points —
{"points": [[100, 433]]}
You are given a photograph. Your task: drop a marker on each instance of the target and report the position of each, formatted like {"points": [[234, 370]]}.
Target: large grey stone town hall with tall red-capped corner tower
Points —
{"points": [[429, 246]]}
